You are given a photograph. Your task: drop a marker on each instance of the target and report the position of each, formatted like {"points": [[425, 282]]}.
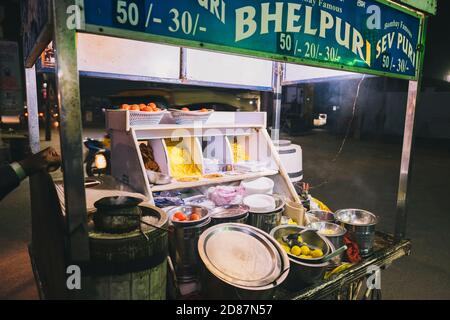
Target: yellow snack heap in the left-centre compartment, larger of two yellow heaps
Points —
{"points": [[180, 161]]}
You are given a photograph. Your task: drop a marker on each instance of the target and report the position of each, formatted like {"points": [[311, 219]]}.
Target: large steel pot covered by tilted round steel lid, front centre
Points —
{"points": [[240, 262]]}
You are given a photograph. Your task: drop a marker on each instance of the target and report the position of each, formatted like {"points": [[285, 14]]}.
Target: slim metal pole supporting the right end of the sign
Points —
{"points": [[405, 166]]}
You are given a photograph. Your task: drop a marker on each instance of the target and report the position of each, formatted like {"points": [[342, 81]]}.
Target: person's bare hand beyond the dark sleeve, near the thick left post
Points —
{"points": [[47, 160]]}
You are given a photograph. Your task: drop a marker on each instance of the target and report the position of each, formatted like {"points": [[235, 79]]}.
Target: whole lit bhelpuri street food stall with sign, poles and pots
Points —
{"points": [[199, 203]]}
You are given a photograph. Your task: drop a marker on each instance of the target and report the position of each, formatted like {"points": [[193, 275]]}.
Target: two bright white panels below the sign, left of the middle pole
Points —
{"points": [[110, 57]]}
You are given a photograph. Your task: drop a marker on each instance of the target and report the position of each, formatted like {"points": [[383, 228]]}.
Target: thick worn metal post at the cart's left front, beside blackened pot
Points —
{"points": [[70, 132]]}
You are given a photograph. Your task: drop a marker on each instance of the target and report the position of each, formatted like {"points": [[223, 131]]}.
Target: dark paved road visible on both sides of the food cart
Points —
{"points": [[365, 176]]}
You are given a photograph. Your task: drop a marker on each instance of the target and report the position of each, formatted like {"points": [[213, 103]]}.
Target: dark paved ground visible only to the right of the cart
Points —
{"points": [[365, 176]]}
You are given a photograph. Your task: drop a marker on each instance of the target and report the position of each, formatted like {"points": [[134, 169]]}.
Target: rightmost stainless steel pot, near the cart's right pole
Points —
{"points": [[360, 225]]}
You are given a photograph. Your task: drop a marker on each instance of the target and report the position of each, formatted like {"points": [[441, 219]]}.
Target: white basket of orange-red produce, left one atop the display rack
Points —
{"points": [[144, 114]]}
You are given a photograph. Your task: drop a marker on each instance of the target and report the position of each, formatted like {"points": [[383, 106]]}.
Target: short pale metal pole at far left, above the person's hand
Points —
{"points": [[32, 109]]}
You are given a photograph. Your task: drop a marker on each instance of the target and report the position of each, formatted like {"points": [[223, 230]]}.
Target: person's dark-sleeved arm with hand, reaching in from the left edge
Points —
{"points": [[11, 175]]}
